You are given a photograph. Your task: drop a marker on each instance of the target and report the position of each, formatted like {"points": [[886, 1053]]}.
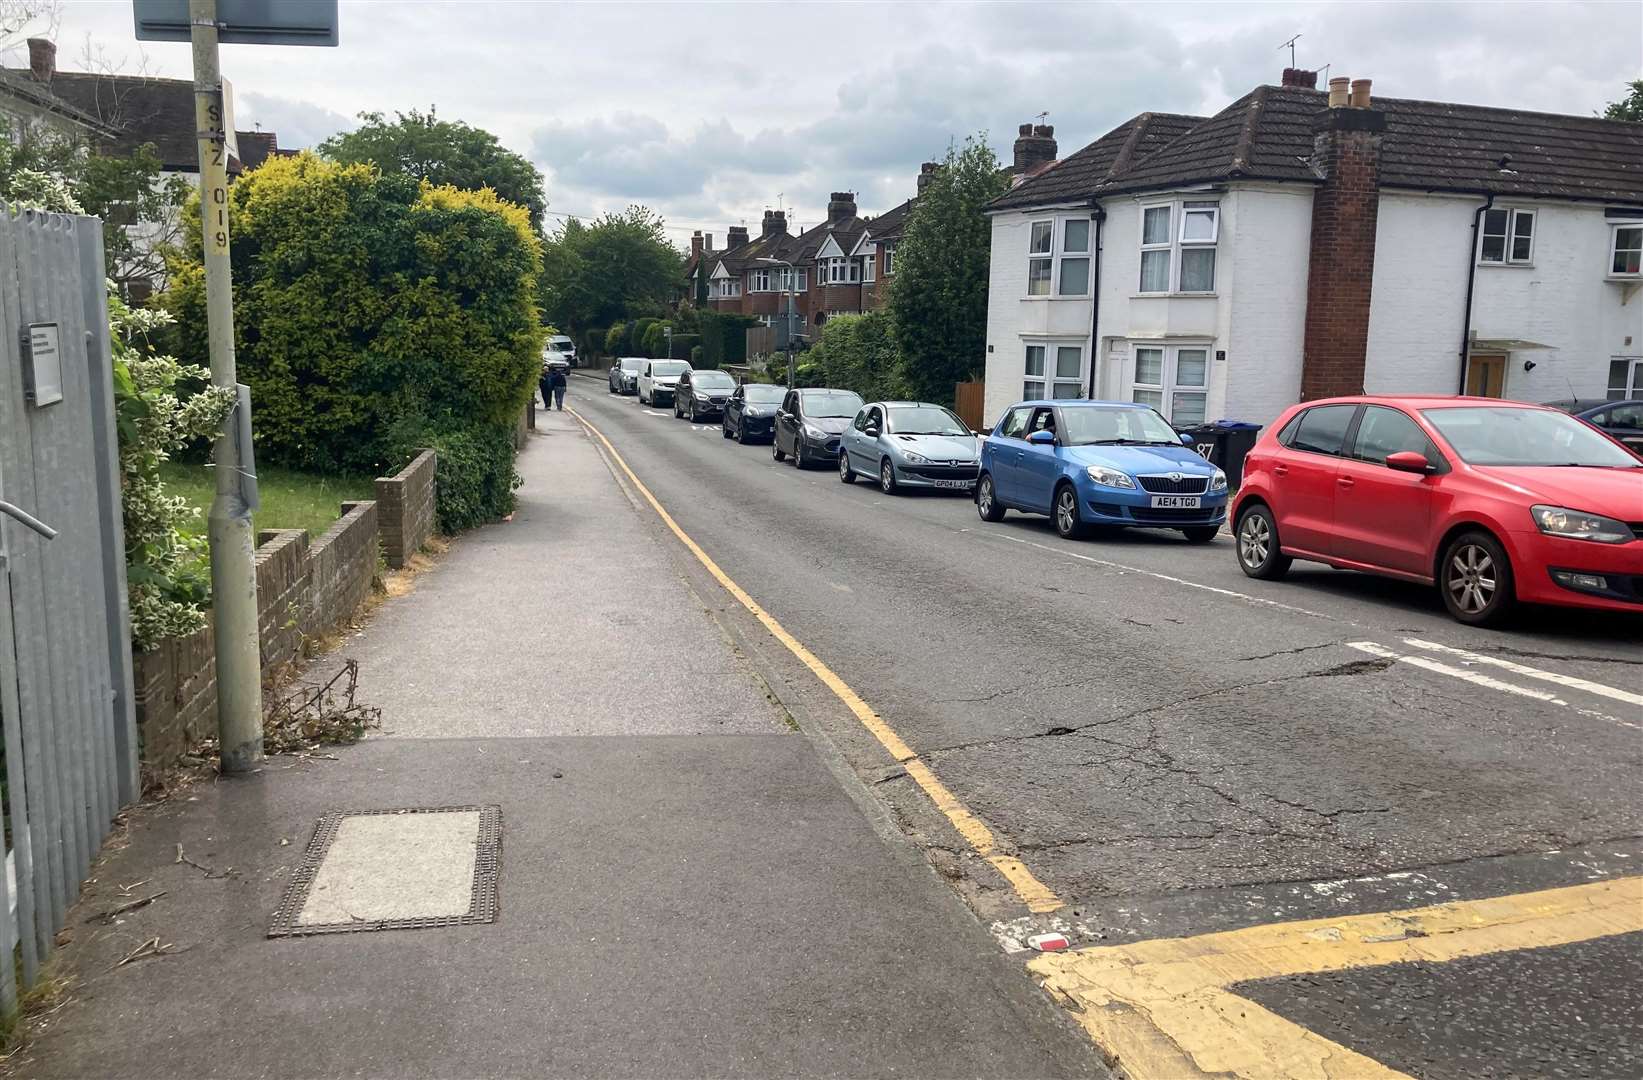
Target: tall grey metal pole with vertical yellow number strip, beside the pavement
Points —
{"points": [[232, 561]]}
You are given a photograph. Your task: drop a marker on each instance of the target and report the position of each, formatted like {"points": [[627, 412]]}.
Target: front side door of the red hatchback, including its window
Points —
{"points": [[1384, 517]]}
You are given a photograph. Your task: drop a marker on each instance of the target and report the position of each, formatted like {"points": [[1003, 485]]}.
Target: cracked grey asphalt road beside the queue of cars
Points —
{"points": [[1176, 750]]}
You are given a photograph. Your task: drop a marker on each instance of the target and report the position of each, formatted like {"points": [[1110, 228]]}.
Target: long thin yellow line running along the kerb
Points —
{"points": [[1034, 893]]}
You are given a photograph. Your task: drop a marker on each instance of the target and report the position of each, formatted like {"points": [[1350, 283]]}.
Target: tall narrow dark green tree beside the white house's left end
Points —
{"points": [[939, 295]]}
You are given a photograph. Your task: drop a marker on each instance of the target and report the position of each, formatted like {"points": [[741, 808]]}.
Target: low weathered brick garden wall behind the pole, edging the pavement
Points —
{"points": [[303, 589]]}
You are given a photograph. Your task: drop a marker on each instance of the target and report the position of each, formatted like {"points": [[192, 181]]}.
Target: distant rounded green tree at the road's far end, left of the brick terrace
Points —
{"points": [[614, 269]]}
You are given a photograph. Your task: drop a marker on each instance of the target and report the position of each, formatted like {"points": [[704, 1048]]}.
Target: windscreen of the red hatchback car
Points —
{"points": [[1491, 435]]}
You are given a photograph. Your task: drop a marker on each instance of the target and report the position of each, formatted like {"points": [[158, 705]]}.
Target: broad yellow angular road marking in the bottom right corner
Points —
{"points": [[1164, 1010]]}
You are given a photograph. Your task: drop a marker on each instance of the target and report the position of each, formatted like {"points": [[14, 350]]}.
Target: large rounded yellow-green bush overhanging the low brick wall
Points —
{"points": [[374, 313]]}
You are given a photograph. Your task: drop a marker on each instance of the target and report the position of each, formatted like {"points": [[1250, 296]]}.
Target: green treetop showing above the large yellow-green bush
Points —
{"points": [[448, 154]]}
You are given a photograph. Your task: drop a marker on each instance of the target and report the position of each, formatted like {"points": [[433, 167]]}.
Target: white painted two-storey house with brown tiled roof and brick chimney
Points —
{"points": [[1296, 247]]}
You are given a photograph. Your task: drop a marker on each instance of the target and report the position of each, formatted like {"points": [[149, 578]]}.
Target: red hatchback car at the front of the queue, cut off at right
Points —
{"points": [[1494, 502]]}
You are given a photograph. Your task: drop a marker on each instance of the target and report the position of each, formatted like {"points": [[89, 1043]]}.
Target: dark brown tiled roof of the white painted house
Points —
{"points": [[1427, 145]]}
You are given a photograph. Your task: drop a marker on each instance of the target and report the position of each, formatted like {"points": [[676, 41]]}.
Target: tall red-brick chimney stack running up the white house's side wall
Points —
{"points": [[1346, 155]]}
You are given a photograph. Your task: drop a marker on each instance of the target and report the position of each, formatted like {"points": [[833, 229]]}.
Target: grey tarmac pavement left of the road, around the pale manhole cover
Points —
{"points": [[686, 887]]}
